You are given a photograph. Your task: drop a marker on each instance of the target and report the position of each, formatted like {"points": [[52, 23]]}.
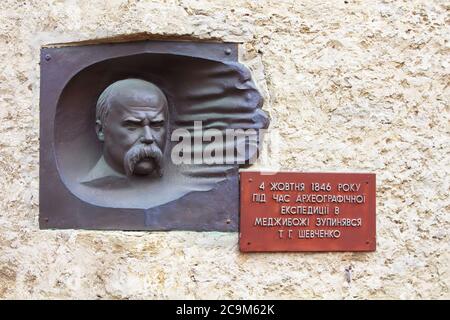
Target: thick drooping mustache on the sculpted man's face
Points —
{"points": [[139, 152]]}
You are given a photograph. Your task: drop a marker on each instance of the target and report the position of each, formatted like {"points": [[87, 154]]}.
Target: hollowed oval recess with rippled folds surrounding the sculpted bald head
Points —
{"points": [[220, 94]]}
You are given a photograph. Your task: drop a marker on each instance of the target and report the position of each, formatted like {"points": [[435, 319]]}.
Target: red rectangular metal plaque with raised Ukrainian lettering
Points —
{"points": [[294, 211]]}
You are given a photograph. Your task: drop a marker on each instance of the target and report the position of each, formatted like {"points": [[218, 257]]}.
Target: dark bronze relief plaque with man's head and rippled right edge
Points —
{"points": [[108, 115]]}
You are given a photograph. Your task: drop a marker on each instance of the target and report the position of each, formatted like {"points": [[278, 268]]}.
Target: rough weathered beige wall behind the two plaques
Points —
{"points": [[357, 86]]}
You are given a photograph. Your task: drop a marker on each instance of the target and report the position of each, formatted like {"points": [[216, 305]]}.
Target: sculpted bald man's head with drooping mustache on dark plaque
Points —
{"points": [[131, 120]]}
